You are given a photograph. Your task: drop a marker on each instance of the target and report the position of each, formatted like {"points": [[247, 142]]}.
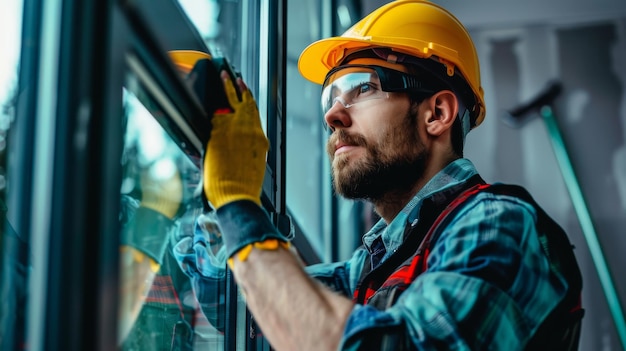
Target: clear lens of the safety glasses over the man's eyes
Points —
{"points": [[350, 86]]}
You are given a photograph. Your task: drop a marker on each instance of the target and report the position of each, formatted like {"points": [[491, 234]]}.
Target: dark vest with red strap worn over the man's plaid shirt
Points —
{"points": [[381, 286]]}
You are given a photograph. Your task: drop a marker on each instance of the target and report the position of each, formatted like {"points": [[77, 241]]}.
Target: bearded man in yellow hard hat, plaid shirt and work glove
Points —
{"points": [[400, 91]]}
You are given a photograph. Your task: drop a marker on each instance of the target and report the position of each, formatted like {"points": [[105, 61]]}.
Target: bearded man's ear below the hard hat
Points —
{"points": [[444, 108]]}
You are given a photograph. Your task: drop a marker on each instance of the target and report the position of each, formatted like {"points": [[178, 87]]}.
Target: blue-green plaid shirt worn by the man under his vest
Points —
{"points": [[488, 284]]}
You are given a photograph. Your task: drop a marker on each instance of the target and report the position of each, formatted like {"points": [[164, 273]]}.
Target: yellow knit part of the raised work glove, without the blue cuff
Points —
{"points": [[234, 163]]}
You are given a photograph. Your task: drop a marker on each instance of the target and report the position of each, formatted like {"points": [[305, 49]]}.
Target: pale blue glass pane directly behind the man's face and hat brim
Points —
{"points": [[309, 191]]}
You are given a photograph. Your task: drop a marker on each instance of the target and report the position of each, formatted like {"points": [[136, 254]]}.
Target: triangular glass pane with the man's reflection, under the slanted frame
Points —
{"points": [[159, 309]]}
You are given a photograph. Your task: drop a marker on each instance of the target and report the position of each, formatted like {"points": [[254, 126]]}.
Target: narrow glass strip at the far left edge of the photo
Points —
{"points": [[13, 247]]}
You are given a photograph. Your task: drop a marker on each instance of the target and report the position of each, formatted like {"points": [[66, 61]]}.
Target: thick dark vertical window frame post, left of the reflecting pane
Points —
{"points": [[75, 110]]}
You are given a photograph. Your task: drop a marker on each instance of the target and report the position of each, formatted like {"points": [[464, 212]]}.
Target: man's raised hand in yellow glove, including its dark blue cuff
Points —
{"points": [[234, 166]]}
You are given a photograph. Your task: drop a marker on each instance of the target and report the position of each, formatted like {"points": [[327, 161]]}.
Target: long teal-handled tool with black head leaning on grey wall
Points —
{"points": [[543, 104]]}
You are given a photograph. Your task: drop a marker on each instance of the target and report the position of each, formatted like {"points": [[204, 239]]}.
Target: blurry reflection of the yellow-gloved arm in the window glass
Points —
{"points": [[151, 199]]}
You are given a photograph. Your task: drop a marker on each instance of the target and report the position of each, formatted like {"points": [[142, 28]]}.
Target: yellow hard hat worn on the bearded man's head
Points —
{"points": [[414, 27]]}
